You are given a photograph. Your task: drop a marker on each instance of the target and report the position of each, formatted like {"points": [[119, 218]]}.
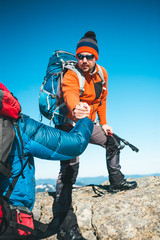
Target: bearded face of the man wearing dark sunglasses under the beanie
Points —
{"points": [[87, 63]]}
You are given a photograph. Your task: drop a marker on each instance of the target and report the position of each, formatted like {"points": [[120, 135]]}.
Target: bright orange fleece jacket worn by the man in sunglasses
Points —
{"points": [[71, 93]]}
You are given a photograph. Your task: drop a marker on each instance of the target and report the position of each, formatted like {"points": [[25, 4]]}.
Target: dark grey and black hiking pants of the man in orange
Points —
{"points": [[63, 209]]}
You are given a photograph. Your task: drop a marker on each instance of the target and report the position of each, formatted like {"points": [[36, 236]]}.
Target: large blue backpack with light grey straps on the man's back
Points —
{"points": [[49, 96]]}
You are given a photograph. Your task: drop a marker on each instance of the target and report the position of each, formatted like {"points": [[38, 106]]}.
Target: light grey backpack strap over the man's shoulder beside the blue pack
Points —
{"points": [[80, 76]]}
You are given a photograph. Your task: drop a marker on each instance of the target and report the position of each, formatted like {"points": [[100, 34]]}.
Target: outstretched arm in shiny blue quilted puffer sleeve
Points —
{"points": [[53, 144]]}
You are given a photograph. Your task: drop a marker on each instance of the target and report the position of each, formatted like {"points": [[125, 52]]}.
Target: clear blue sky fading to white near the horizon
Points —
{"points": [[128, 34]]}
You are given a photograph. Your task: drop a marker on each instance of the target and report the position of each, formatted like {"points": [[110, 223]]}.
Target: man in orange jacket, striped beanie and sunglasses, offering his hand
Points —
{"points": [[93, 99]]}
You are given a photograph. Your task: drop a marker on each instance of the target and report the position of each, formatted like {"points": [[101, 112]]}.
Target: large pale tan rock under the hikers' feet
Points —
{"points": [[133, 214]]}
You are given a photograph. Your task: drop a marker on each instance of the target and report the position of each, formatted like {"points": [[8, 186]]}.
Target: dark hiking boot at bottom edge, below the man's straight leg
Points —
{"points": [[70, 234]]}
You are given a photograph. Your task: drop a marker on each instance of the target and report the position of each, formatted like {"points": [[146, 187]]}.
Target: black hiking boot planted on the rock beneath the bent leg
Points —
{"points": [[122, 186]]}
